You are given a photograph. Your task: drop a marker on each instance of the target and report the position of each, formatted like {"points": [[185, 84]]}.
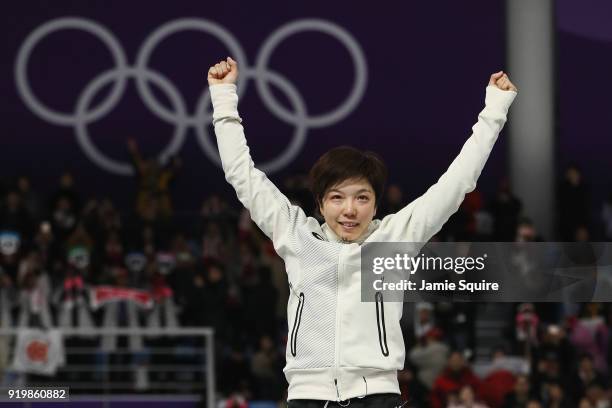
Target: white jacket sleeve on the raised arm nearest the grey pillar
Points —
{"points": [[426, 215]]}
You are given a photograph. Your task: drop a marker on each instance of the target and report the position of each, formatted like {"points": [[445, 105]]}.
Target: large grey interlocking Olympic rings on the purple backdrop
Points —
{"points": [[84, 114]]}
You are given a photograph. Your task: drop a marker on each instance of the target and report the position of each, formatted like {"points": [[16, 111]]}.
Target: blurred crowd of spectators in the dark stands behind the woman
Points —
{"points": [[220, 271]]}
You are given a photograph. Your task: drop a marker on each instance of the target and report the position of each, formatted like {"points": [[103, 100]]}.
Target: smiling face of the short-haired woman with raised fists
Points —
{"points": [[348, 208]]}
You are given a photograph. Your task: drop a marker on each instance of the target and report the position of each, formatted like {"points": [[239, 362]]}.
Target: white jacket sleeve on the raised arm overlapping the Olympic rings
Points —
{"points": [[269, 208]]}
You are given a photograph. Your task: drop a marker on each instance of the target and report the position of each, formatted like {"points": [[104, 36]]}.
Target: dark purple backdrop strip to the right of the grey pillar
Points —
{"points": [[584, 40]]}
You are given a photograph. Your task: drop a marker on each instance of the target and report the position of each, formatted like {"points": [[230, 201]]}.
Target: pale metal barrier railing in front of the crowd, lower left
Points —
{"points": [[100, 366]]}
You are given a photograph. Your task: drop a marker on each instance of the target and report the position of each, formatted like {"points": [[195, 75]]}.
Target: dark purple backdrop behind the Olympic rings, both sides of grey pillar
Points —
{"points": [[428, 64]]}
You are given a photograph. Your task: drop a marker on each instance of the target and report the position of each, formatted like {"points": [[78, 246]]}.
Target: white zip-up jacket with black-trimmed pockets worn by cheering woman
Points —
{"points": [[340, 347]]}
